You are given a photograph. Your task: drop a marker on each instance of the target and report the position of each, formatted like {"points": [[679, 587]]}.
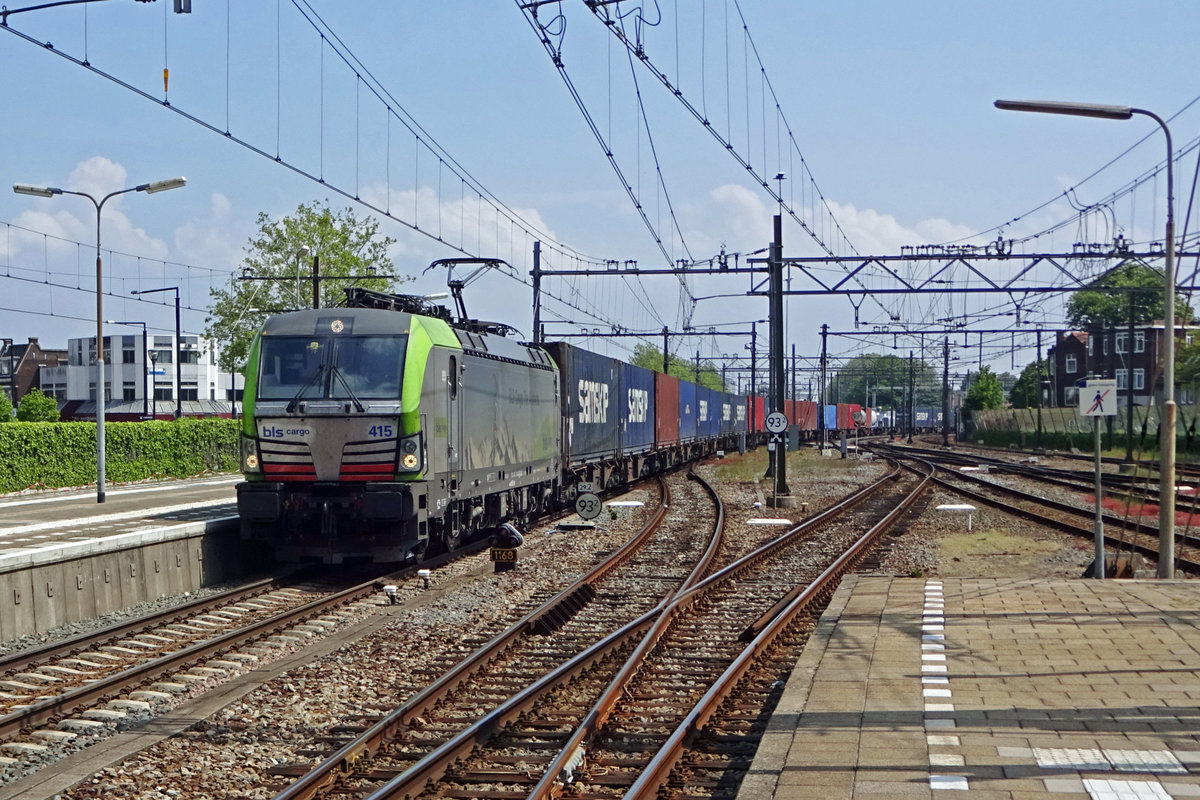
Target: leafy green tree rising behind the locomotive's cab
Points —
{"points": [[350, 250]]}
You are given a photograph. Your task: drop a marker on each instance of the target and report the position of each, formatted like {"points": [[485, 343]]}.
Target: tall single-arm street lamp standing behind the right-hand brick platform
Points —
{"points": [[1167, 455]]}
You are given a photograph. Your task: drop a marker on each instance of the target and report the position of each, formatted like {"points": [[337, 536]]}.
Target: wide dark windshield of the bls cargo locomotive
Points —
{"points": [[332, 368]]}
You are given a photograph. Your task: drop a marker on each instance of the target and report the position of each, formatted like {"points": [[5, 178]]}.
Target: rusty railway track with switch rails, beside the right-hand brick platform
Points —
{"points": [[596, 727]]}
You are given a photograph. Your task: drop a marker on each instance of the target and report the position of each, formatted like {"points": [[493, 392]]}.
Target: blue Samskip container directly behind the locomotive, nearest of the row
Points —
{"points": [[591, 388]]}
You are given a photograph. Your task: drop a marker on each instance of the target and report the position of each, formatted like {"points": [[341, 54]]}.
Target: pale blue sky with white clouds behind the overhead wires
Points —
{"points": [[453, 118]]}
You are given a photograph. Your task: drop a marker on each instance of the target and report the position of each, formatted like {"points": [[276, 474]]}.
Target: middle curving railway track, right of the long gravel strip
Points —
{"points": [[479, 693]]}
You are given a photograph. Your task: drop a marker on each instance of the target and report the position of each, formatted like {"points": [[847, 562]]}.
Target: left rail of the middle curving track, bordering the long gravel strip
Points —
{"points": [[548, 617]]}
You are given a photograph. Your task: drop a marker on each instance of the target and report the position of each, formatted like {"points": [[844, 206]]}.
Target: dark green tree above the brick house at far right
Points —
{"points": [[1099, 306]]}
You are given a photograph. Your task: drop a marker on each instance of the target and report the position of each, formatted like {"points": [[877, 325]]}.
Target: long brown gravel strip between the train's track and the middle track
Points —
{"points": [[225, 755]]}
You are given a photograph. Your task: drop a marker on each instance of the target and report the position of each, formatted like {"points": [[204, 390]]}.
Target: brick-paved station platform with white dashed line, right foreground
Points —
{"points": [[992, 689]]}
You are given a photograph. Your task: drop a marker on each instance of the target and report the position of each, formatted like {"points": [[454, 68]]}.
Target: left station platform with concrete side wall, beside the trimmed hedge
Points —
{"points": [[65, 558]]}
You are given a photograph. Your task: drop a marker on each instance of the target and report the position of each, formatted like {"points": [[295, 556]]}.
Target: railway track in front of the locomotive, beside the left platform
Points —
{"points": [[85, 687]]}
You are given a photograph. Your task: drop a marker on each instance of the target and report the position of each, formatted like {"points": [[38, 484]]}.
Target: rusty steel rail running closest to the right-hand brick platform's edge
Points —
{"points": [[656, 774]]}
